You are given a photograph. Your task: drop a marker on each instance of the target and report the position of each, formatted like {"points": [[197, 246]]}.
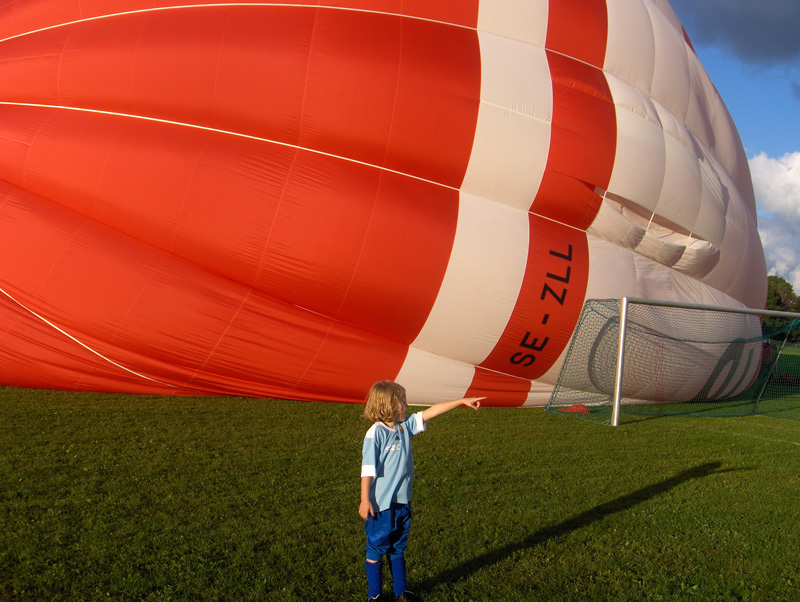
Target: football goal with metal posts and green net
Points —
{"points": [[646, 357]]}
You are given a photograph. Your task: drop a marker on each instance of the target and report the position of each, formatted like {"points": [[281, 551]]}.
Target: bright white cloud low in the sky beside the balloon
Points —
{"points": [[777, 187]]}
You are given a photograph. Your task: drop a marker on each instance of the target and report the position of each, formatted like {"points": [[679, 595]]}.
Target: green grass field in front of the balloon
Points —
{"points": [[114, 497]]}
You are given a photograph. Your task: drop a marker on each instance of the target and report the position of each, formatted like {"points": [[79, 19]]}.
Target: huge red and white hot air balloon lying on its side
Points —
{"points": [[295, 201]]}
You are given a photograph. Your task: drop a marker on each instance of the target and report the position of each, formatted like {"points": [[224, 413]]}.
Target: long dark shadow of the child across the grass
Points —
{"points": [[582, 520]]}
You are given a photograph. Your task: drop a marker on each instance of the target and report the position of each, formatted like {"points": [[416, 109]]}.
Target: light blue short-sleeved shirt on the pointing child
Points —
{"points": [[387, 457]]}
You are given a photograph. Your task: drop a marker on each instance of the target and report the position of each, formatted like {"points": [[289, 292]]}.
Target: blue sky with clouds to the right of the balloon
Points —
{"points": [[751, 51]]}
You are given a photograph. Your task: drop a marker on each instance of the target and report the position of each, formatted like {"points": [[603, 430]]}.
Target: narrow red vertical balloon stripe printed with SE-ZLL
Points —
{"points": [[580, 160]]}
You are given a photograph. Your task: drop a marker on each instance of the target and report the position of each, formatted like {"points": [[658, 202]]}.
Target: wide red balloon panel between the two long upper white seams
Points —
{"points": [[226, 64]]}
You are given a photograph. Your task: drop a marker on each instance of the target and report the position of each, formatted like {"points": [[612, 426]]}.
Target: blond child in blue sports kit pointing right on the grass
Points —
{"points": [[387, 475]]}
